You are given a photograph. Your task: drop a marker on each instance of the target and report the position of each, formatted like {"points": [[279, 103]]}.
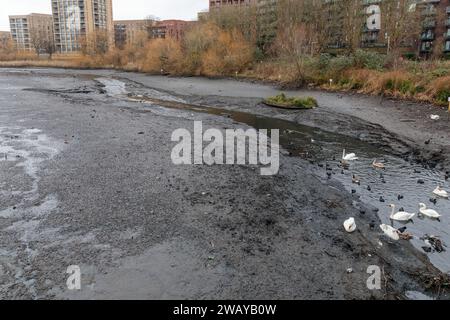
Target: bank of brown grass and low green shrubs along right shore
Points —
{"points": [[365, 73]]}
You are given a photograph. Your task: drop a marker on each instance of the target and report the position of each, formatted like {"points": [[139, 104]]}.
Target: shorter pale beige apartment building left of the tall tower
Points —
{"points": [[28, 31]]}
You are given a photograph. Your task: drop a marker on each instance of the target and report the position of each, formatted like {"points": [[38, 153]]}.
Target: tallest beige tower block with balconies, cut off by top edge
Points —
{"points": [[78, 20]]}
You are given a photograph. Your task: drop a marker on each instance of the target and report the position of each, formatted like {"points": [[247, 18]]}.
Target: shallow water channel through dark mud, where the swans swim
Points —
{"points": [[324, 150]]}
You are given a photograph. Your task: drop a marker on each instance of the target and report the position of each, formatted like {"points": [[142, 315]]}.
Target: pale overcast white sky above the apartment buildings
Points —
{"points": [[123, 9]]}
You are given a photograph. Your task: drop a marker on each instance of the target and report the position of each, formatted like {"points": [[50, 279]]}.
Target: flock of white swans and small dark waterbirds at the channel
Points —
{"points": [[432, 242]]}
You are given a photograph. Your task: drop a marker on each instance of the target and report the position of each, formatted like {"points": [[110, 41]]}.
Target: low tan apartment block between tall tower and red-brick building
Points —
{"points": [[130, 31]]}
